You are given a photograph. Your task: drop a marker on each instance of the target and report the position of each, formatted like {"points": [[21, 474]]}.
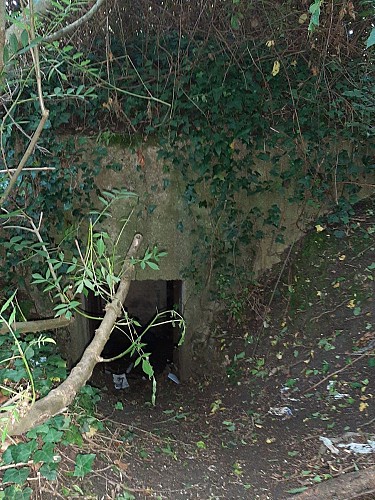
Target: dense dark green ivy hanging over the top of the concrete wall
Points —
{"points": [[234, 111]]}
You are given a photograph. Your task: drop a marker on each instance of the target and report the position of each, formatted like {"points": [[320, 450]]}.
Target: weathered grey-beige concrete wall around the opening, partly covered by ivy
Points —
{"points": [[160, 215]]}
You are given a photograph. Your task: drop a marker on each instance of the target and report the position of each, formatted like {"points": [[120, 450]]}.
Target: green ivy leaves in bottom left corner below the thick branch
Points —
{"points": [[42, 450]]}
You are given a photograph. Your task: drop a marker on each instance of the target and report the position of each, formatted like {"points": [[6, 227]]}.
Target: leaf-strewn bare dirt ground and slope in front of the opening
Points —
{"points": [[298, 362]]}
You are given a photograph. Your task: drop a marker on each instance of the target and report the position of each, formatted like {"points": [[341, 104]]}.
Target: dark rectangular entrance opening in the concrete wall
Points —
{"points": [[144, 301]]}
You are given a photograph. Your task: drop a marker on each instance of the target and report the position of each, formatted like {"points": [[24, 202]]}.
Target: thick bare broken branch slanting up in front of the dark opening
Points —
{"points": [[61, 397]]}
